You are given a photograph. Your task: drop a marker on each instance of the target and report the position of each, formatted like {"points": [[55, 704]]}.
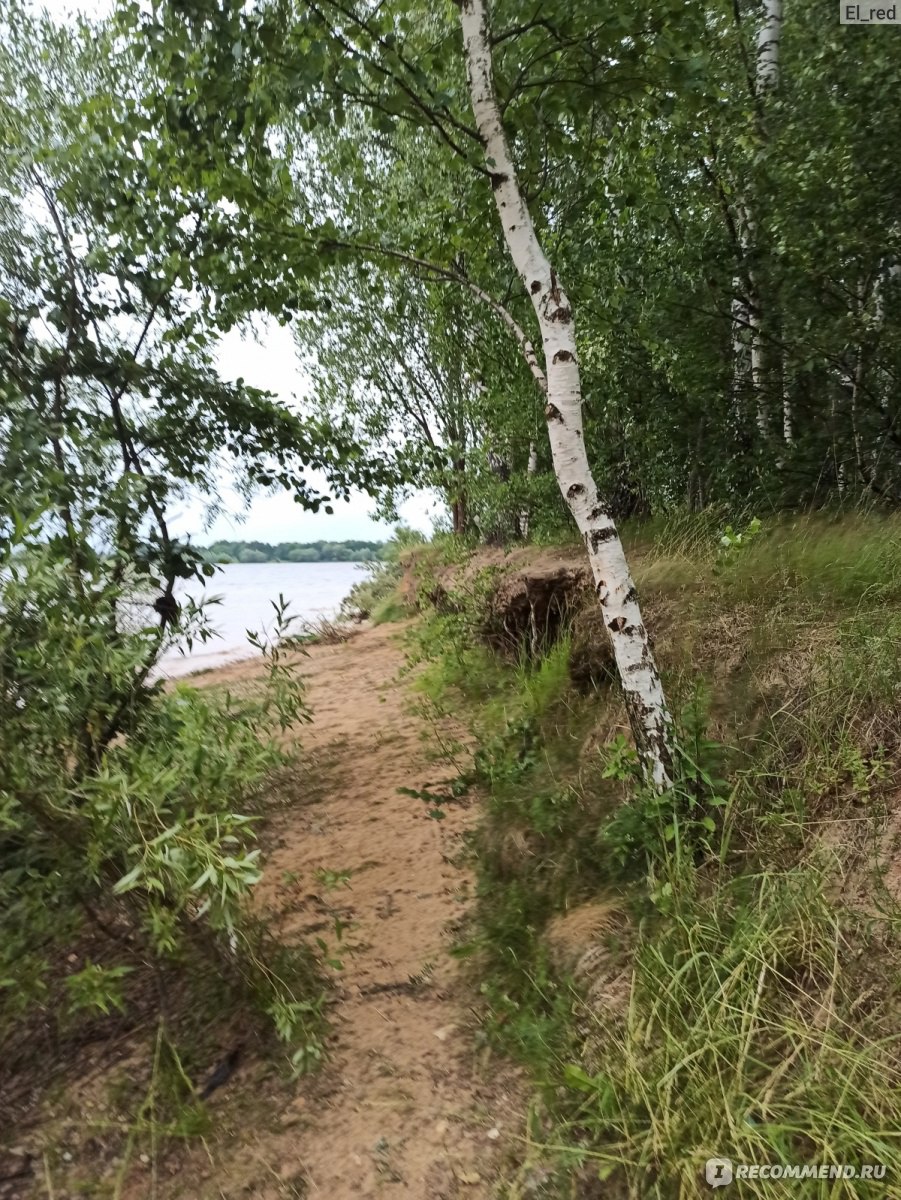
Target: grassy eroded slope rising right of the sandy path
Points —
{"points": [[735, 989]]}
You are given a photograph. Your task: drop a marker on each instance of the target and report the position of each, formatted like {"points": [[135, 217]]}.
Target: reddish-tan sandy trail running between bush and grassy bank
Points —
{"points": [[409, 1105]]}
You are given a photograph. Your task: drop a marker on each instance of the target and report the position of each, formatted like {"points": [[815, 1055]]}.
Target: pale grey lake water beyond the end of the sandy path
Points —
{"points": [[314, 590]]}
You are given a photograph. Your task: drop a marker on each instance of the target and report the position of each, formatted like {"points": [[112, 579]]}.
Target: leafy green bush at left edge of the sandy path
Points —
{"points": [[128, 809]]}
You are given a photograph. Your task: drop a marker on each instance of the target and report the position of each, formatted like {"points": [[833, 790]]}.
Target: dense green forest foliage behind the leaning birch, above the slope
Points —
{"points": [[737, 314]]}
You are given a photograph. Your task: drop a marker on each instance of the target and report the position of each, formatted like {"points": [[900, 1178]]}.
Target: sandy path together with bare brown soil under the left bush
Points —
{"points": [[410, 1101]]}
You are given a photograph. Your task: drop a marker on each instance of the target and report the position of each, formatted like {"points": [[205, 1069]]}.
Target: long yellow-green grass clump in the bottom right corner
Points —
{"points": [[743, 1039]]}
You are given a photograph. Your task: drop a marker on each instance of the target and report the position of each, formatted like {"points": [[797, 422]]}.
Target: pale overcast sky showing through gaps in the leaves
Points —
{"points": [[271, 363]]}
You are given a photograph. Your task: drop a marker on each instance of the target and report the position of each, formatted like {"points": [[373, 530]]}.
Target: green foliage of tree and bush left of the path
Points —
{"points": [[127, 812]]}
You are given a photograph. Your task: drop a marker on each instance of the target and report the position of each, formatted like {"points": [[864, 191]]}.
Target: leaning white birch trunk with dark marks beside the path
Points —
{"points": [[646, 704]]}
